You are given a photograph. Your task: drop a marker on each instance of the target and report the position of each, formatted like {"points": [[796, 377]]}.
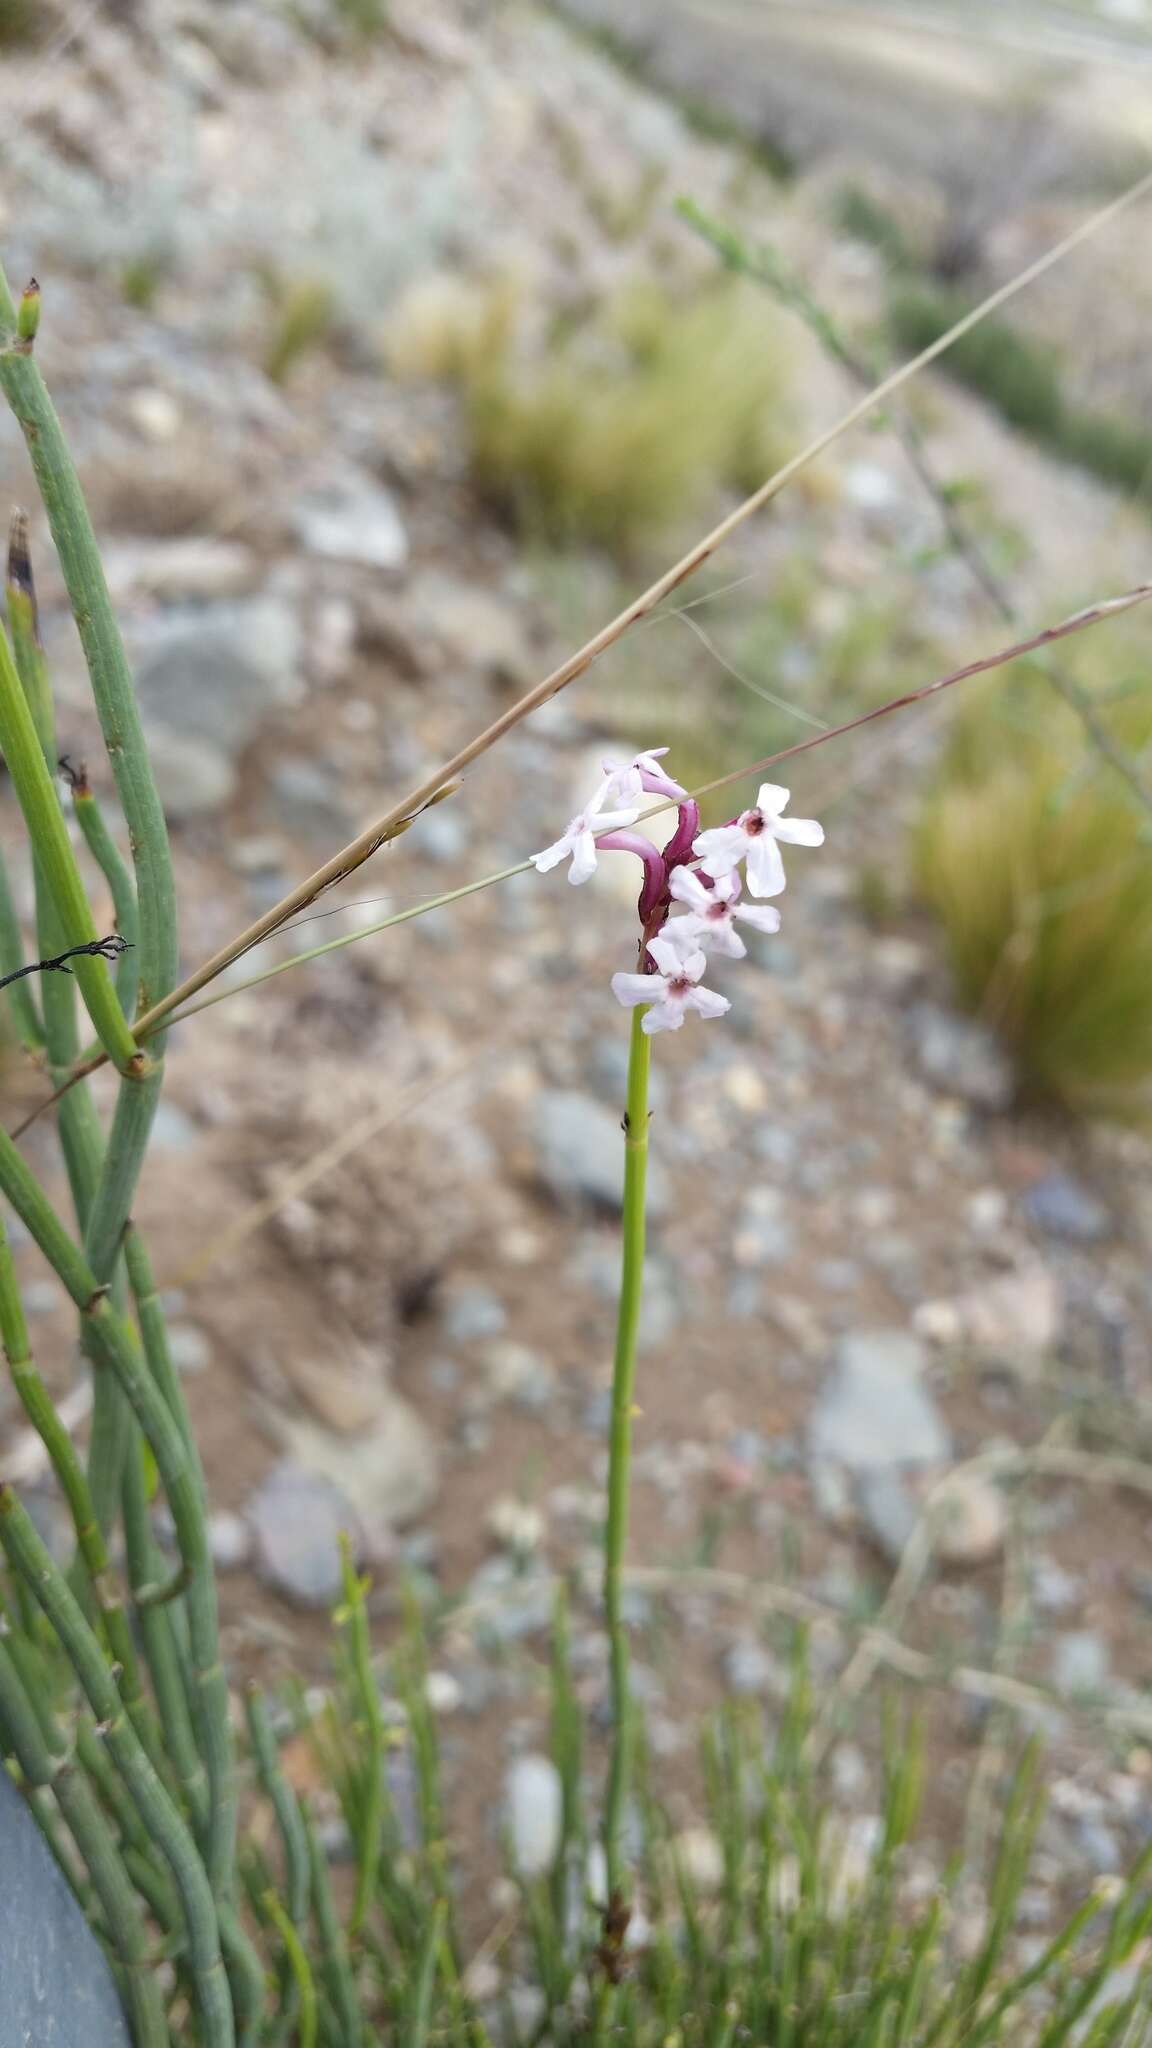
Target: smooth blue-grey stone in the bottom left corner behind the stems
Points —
{"points": [[56, 1986]]}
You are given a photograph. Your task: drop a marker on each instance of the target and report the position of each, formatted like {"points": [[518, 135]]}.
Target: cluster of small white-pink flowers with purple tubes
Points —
{"points": [[698, 871]]}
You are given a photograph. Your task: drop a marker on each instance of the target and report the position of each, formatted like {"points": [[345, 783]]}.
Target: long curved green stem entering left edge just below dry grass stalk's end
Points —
{"points": [[114, 1349]]}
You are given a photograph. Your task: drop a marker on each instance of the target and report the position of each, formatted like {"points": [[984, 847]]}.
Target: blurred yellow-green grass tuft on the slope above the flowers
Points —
{"points": [[614, 427]]}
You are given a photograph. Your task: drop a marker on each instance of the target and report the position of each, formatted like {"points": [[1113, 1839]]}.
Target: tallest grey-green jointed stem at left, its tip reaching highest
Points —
{"points": [[104, 652]]}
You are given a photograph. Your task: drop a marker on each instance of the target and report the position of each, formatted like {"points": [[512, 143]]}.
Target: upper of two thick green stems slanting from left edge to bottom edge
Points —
{"points": [[32, 1560]]}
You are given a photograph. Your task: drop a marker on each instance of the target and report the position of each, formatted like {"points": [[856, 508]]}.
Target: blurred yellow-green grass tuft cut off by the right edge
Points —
{"points": [[1040, 865]]}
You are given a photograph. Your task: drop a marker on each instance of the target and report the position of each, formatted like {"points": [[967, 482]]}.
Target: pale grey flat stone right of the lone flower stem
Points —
{"points": [[874, 1408]]}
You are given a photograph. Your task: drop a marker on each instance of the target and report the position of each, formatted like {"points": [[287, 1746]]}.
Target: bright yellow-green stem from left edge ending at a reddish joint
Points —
{"points": [[52, 847]]}
